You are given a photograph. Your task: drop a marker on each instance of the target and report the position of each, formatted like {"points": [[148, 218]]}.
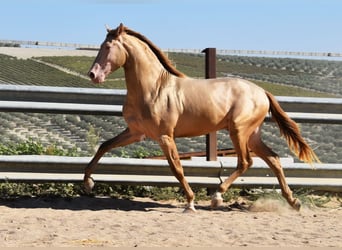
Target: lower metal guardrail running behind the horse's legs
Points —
{"points": [[327, 177]]}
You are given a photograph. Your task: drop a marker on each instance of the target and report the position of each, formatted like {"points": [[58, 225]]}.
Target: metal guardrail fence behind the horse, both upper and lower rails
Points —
{"points": [[18, 98]]}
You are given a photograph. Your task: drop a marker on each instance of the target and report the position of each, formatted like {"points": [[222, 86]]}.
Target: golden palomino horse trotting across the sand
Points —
{"points": [[162, 104]]}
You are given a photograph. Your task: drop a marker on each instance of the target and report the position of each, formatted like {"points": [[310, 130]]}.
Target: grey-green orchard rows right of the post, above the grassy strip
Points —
{"points": [[320, 75]]}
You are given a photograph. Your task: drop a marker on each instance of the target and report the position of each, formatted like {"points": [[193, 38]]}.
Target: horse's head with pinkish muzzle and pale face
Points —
{"points": [[111, 56]]}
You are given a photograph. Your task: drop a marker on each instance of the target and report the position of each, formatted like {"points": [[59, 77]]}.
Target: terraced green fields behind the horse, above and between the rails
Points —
{"points": [[84, 133]]}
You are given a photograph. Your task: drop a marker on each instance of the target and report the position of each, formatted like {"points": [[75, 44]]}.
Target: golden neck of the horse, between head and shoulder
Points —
{"points": [[142, 69]]}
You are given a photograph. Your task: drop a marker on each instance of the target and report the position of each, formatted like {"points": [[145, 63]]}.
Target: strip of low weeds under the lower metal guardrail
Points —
{"points": [[237, 198]]}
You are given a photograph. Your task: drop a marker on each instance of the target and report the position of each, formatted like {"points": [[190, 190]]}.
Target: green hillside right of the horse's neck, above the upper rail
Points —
{"points": [[317, 75]]}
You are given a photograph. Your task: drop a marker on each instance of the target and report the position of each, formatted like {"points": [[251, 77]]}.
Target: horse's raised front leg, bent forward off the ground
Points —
{"points": [[123, 139]]}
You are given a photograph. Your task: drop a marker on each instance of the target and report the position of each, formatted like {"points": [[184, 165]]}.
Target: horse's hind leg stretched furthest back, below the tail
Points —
{"points": [[272, 159]]}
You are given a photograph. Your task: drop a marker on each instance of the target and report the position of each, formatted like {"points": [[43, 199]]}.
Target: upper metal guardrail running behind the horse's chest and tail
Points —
{"points": [[19, 98]]}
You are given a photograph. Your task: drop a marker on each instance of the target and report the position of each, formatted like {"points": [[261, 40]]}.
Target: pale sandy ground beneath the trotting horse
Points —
{"points": [[142, 222]]}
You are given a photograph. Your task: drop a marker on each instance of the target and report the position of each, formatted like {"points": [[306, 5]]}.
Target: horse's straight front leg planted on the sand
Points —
{"points": [[169, 148]]}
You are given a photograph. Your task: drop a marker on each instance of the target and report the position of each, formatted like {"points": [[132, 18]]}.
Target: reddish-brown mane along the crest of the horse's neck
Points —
{"points": [[159, 54]]}
